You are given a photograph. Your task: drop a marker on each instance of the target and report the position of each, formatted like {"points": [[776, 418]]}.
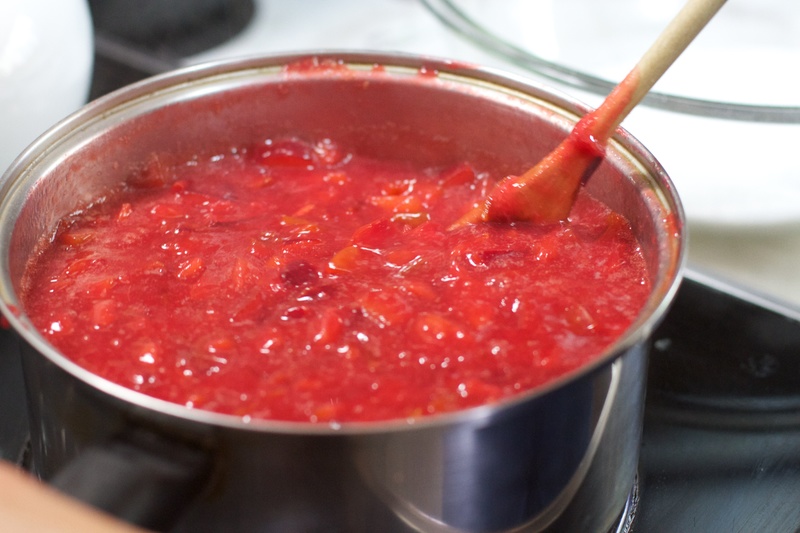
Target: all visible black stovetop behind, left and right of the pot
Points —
{"points": [[721, 442]]}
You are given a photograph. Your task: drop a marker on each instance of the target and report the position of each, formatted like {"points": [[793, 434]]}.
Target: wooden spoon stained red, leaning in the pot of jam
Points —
{"points": [[546, 192]]}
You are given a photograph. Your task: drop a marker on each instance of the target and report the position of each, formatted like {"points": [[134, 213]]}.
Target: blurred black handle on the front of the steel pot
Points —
{"points": [[140, 477]]}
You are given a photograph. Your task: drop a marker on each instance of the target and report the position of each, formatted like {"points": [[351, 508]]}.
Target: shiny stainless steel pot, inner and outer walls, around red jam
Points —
{"points": [[560, 458]]}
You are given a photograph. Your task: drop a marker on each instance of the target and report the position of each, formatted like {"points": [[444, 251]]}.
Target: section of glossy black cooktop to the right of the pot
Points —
{"points": [[721, 447]]}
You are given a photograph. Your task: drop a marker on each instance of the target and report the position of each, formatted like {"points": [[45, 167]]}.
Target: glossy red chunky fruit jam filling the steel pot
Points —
{"points": [[294, 281]]}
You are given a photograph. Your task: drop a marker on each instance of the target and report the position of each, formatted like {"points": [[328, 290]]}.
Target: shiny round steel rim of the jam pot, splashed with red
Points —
{"points": [[226, 73]]}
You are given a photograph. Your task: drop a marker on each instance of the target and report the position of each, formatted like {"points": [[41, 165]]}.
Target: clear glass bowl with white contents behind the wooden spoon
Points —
{"points": [[724, 120]]}
